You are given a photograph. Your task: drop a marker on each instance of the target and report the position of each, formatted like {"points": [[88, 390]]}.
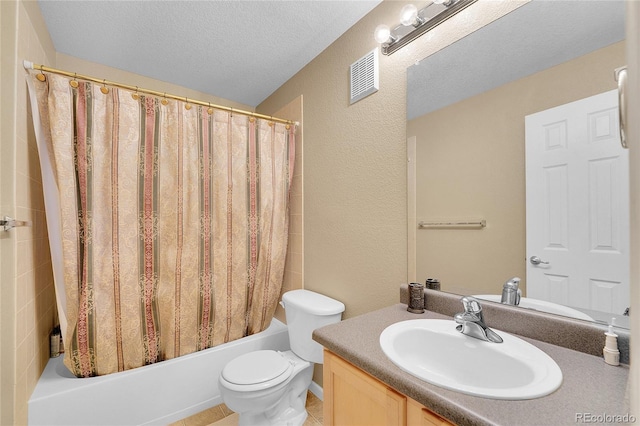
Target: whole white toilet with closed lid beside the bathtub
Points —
{"points": [[270, 388]]}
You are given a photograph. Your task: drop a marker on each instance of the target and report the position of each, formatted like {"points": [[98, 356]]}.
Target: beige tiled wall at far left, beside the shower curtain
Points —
{"points": [[28, 311]]}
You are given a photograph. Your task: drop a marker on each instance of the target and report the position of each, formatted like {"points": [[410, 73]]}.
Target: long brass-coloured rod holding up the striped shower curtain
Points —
{"points": [[31, 66]]}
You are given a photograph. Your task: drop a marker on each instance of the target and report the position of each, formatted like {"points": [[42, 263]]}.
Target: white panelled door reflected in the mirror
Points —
{"points": [[578, 205]]}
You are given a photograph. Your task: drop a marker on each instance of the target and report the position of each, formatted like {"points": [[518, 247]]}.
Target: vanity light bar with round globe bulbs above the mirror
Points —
{"points": [[414, 23]]}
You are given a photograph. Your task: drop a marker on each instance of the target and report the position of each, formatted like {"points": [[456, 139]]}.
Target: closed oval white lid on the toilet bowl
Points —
{"points": [[256, 367]]}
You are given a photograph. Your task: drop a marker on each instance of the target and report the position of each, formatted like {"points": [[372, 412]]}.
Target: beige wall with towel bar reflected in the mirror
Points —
{"points": [[471, 163]]}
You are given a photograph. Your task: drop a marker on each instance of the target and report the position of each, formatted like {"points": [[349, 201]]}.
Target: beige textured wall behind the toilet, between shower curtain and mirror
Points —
{"points": [[355, 214]]}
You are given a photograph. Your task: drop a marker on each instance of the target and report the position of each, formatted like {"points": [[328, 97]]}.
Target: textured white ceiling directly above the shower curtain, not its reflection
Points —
{"points": [[238, 50]]}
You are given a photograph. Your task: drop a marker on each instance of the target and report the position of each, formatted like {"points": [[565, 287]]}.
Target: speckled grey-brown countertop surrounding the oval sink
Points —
{"points": [[589, 388]]}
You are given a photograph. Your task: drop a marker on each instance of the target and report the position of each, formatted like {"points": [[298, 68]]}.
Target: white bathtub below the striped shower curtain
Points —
{"points": [[156, 394]]}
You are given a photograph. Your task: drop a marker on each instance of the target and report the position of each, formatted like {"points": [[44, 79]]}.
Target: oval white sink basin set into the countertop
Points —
{"points": [[434, 351]]}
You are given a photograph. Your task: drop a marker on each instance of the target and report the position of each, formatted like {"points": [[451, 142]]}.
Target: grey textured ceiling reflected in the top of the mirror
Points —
{"points": [[532, 38]]}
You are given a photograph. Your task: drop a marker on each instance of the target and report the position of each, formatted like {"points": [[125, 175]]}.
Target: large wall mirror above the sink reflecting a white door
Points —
{"points": [[541, 76]]}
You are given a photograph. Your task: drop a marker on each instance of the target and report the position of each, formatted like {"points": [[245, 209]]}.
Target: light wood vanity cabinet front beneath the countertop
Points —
{"points": [[352, 397]]}
